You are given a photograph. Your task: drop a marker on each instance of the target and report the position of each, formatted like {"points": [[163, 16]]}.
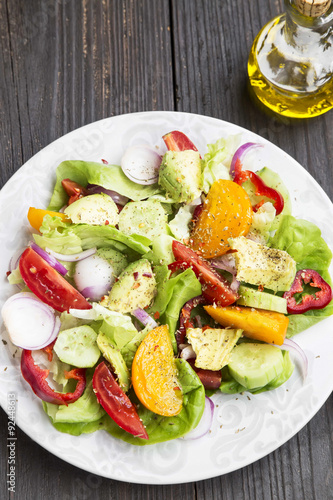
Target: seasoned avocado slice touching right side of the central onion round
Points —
{"points": [[135, 288]]}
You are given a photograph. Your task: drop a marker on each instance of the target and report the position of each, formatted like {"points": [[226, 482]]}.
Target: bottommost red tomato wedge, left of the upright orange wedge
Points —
{"points": [[116, 403]]}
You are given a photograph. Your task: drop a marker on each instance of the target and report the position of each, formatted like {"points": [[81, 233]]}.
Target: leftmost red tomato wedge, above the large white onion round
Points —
{"points": [[48, 285]]}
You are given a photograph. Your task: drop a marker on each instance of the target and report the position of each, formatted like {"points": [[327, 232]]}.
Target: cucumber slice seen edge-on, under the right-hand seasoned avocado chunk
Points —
{"points": [[261, 300]]}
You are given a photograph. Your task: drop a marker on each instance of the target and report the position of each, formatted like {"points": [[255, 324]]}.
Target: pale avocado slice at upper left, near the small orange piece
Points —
{"points": [[94, 209]]}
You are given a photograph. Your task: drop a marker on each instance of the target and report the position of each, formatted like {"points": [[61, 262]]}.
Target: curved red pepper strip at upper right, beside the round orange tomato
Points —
{"points": [[261, 188]]}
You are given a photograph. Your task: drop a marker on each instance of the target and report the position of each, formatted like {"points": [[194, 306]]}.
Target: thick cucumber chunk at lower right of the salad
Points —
{"points": [[255, 365]]}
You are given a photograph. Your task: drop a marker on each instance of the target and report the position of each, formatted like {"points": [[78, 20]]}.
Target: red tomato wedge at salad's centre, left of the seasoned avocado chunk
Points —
{"points": [[215, 288]]}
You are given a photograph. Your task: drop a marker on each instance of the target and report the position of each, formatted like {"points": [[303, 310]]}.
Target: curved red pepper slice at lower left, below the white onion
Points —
{"points": [[36, 377]]}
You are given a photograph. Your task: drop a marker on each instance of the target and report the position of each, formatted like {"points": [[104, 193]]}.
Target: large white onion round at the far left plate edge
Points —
{"points": [[30, 323]]}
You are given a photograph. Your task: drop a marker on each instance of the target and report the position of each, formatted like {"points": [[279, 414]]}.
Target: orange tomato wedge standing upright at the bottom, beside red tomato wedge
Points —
{"points": [[154, 374]]}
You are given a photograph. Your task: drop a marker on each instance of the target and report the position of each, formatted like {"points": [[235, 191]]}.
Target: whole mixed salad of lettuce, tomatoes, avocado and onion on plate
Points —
{"points": [[150, 285]]}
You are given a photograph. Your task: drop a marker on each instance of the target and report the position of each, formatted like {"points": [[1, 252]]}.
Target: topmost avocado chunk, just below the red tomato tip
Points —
{"points": [[181, 175]]}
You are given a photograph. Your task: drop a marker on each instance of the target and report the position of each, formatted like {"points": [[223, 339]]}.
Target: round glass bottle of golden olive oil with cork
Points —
{"points": [[291, 61]]}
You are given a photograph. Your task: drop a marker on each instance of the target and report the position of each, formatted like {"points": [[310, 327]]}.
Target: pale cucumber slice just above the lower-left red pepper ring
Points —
{"points": [[77, 346]]}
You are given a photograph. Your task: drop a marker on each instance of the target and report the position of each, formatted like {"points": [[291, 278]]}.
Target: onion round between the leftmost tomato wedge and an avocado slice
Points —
{"points": [[94, 277]]}
